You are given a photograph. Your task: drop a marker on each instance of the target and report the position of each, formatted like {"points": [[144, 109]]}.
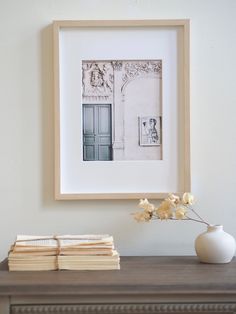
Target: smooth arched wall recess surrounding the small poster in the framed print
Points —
{"points": [[142, 99]]}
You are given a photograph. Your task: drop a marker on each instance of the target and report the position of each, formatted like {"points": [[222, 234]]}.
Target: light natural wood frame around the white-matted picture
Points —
{"points": [[180, 25]]}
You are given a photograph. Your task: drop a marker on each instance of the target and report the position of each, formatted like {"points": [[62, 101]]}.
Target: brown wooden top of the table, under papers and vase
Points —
{"points": [[138, 275]]}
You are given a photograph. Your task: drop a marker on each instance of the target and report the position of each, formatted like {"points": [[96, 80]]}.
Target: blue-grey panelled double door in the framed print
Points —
{"points": [[97, 132]]}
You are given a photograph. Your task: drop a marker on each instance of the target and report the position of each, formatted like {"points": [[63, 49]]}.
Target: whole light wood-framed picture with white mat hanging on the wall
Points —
{"points": [[121, 109]]}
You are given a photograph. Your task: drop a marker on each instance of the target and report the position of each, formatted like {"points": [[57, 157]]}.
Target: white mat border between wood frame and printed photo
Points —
{"points": [[78, 176]]}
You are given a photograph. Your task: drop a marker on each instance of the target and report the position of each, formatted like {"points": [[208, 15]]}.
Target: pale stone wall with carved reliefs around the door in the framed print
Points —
{"points": [[133, 88]]}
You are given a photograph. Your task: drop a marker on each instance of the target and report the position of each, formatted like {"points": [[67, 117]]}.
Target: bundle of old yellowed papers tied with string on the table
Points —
{"points": [[70, 252]]}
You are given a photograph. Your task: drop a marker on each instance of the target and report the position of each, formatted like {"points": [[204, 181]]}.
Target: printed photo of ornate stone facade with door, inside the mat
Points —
{"points": [[122, 110]]}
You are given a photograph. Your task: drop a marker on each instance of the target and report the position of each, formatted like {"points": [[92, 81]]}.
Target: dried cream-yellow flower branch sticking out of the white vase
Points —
{"points": [[172, 208]]}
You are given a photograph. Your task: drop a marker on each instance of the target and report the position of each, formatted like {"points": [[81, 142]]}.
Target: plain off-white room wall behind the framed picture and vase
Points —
{"points": [[26, 124]]}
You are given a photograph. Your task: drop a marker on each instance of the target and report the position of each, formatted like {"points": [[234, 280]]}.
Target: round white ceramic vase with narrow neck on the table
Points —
{"points": [[215, 245]]}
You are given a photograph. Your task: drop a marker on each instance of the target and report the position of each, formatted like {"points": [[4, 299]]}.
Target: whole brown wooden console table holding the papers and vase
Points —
{"points": [[144, 285]]}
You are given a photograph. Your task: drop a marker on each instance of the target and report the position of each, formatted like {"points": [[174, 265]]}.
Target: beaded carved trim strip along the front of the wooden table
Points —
{"points": [[206, 308]]}
